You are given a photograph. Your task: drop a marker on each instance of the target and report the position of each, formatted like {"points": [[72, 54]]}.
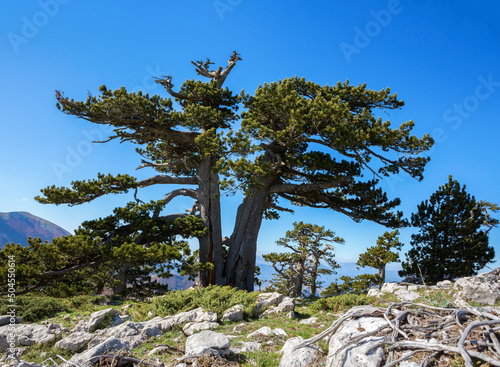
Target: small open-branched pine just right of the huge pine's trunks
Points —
{"points": [[309, 245]]}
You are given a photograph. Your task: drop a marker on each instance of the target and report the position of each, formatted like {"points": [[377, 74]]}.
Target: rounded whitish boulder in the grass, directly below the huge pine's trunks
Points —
{"points": [[207, 340]]}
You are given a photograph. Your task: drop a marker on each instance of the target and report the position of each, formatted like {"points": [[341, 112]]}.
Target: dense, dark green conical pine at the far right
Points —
{"points": [[451, 241]]}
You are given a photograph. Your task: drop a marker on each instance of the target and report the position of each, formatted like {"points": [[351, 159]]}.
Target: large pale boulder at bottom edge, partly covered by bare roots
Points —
{"points": [[362, 354]]}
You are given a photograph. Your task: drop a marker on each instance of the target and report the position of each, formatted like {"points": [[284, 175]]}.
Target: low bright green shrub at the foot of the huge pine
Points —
{"points": [[213, 298]]}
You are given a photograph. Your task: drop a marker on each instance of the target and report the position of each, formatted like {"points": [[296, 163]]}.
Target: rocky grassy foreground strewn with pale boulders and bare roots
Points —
{"points": [[405, 324]]}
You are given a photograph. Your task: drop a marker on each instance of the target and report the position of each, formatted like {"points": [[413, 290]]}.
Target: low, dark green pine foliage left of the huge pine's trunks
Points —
{"points": [[87, 262]]}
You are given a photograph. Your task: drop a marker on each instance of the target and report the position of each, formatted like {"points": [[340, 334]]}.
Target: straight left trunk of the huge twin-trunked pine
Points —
{"points": [[211, 243]]}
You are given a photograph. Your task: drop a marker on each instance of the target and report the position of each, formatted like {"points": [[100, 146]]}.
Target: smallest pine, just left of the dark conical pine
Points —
{"points": [[380, 255]]}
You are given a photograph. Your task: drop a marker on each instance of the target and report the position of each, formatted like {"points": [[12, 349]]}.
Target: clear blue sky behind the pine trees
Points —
{"points": [[442, 58]]}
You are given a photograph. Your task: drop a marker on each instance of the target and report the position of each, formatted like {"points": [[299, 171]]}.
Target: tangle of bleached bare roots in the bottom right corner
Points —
{"points": [[414, 329]]}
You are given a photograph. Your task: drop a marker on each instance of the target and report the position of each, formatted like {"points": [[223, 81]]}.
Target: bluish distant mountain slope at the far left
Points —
{"points": [[18, 226]]}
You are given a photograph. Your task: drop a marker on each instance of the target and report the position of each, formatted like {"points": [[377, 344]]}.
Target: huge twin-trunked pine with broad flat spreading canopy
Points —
{"points": [[299, 143]]}
